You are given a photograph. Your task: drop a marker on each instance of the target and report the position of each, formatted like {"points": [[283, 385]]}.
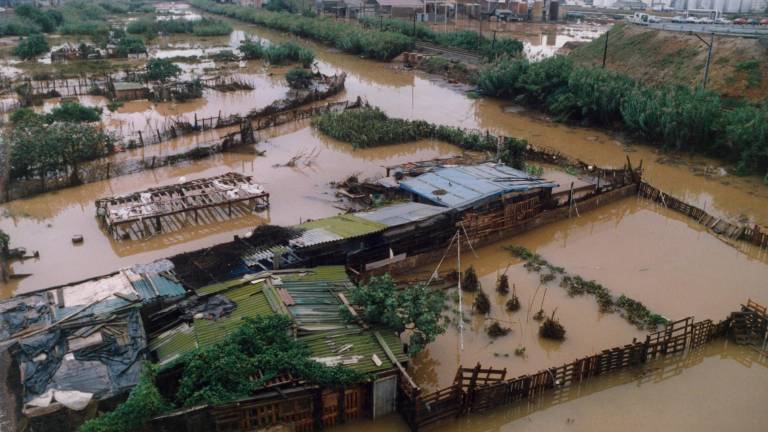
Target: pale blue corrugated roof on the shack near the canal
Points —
{"points": [[462, 187]]}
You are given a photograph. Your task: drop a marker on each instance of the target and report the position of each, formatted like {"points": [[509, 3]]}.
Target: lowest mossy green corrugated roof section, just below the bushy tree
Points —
{"points": [[355, 349]]}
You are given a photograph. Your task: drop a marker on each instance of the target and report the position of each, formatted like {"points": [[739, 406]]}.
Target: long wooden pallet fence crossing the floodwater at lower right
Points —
{"points": [[478, 389]]}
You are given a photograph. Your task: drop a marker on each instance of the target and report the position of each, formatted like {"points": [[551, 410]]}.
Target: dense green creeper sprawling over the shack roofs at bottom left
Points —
{"points": [[262, 347]]}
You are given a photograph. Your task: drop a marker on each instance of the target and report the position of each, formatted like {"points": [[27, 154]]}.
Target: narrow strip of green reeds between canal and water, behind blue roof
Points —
{"points": [[370, 127]]}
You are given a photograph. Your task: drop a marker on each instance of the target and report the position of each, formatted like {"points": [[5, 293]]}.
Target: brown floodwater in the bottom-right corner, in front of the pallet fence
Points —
{"points": [[720, 387]]}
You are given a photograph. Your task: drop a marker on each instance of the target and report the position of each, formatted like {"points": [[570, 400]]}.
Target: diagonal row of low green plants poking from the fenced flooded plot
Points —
{"points": [[632, 310]]}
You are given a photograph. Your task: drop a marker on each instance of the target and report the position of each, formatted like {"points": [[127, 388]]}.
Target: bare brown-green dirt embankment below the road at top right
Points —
{"points": [[739, 66]]}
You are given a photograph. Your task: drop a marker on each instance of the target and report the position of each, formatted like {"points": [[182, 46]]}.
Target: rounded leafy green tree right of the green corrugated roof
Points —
{"points": [[416, 309]]}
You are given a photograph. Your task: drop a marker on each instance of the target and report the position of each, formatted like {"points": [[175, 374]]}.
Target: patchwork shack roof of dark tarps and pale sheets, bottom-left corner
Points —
{"points": [[84, 343]]}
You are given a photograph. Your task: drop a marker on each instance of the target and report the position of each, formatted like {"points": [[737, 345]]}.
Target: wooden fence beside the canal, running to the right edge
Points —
{"points": [[754, 234]]}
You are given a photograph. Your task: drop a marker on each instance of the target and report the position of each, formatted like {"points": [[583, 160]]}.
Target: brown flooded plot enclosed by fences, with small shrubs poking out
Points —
{"points": [[618, 246]]}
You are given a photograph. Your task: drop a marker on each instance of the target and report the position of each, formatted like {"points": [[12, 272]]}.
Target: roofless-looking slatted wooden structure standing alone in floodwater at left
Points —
{"points": [[168, 208]]}
